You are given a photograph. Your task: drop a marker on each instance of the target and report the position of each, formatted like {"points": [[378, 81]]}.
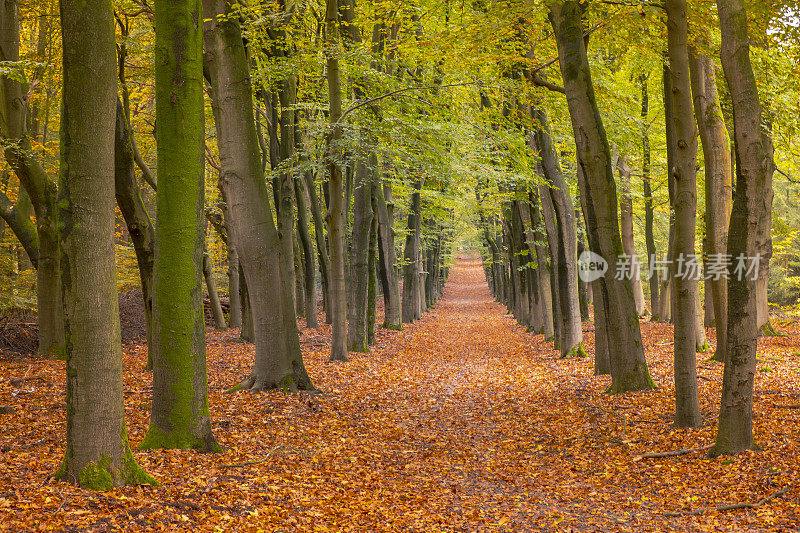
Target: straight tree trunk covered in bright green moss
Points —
{"points": [[180, 416]]}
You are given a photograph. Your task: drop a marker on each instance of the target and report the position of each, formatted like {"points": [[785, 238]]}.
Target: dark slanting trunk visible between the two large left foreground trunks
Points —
{"points": [[137, 220]]}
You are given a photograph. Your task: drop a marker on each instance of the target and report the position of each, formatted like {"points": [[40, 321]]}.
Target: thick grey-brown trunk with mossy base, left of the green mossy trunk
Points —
{"points": [[97, 454]]}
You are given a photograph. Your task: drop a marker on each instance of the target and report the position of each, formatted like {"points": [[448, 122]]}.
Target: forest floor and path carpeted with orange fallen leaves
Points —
{"points": [[460, 422]]}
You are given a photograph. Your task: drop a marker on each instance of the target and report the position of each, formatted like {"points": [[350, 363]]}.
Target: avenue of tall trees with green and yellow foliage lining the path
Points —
{"points": [[338, 151]]}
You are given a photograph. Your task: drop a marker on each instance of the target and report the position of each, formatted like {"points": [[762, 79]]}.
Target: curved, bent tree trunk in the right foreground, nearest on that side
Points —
{"points": [[750, 221]]}
